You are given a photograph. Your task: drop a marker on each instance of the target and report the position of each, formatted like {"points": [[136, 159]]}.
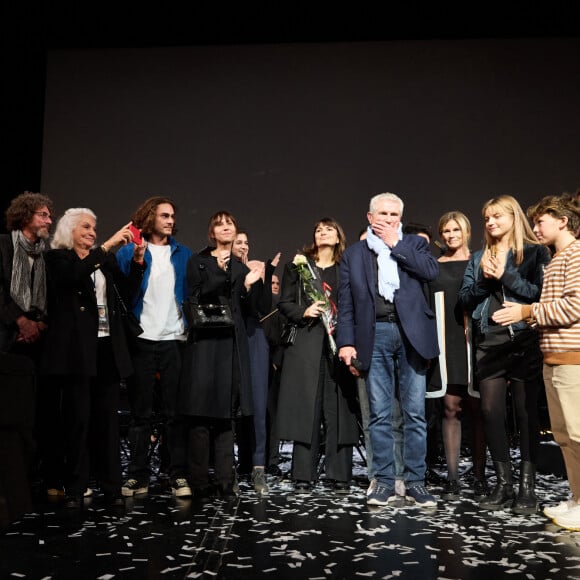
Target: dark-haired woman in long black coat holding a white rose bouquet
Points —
{"points": [[316, 392]]}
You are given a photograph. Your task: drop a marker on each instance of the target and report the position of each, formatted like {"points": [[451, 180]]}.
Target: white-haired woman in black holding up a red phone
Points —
{"points": [[86, 351]]}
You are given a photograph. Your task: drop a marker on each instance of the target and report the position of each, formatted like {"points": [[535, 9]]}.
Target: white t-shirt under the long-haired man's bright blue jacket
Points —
{"points": [[161, 316]]}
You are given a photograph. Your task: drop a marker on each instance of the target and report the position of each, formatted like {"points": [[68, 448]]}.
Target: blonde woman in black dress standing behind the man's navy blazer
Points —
{"points": [[452, 376]]}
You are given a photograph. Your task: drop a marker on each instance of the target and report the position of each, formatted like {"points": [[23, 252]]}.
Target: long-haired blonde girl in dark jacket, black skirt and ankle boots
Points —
{"points": [[510, 267]]}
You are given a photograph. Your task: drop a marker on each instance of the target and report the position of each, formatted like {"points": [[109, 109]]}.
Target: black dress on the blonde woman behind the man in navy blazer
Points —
{"points": [[449, 282]]}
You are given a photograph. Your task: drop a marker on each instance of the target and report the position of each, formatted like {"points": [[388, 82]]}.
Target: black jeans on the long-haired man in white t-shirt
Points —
{"points": [[156, 361]]}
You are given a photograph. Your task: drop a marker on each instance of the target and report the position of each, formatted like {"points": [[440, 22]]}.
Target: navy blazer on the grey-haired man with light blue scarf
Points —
{"points": [[356, 297]]}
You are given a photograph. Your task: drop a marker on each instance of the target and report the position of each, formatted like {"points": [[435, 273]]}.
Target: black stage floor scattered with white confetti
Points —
{"points": [[284, 535]]}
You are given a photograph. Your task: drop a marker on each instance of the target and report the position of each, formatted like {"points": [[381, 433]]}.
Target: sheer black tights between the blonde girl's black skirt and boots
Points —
{"points": [[493, 407]]}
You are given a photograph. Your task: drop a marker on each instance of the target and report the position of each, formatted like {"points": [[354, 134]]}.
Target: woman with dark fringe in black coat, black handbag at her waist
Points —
{"points": [[215, 381]]}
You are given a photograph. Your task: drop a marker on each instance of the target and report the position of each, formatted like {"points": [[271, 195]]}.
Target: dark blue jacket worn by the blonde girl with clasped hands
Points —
{"points": [[519, 283]]}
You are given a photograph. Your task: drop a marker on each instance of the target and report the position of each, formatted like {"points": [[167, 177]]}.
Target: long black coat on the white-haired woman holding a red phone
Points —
{"points": [[71, 342]]}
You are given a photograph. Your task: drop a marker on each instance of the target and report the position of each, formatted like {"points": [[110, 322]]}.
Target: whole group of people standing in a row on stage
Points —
{"points": [[352, 335]]}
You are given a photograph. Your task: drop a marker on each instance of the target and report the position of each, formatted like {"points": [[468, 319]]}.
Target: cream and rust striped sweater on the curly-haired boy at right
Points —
{"points": [[558, 312]]}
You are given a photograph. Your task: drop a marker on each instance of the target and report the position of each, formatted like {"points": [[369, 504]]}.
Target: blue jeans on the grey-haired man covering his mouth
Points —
{"points": [[394, 359]]}
